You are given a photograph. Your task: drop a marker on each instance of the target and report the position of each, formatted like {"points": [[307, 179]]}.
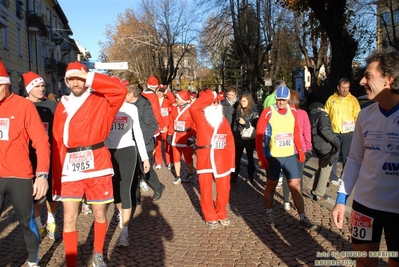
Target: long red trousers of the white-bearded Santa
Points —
{"points": [[214, 210]]}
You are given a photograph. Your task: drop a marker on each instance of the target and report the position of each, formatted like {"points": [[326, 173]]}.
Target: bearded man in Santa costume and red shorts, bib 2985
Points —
{"points": [[81, 162]]}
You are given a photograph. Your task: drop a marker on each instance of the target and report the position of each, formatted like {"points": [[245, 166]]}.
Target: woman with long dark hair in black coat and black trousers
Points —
{"points": [[246, 116]]}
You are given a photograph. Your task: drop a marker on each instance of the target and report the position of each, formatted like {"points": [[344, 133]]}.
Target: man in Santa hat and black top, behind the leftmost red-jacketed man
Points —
{"points": [[35, 87]]}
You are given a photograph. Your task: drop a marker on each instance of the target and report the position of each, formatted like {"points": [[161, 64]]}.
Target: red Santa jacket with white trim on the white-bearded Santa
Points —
{"points": [[216, 149]]}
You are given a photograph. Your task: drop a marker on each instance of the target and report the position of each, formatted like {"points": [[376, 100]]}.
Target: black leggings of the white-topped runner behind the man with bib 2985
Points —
{"points": [[124, 161]]}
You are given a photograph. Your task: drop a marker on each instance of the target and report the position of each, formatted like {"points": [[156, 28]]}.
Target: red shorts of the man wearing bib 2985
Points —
{"points": [[98, 190]]}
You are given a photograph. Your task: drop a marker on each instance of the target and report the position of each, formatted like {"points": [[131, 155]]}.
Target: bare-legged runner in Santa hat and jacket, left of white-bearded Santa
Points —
{"points": [[181, 130]]}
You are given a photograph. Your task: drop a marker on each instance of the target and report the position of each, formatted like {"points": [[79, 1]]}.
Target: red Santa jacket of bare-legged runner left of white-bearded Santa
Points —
{"points": [[181, 125]]}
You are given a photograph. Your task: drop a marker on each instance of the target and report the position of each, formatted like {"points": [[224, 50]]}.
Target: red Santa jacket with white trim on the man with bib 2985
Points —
{"points": [[87, 122]]}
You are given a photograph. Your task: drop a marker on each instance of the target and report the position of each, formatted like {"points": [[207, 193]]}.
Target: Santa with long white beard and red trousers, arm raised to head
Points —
{"points": [[215, 157]]}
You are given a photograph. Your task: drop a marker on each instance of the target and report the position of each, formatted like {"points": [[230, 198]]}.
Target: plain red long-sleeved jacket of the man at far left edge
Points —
{"points": [[19, 123]]}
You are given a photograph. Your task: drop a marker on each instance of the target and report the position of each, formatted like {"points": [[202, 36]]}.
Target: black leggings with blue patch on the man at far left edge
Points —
{"points": [[20, 193]]}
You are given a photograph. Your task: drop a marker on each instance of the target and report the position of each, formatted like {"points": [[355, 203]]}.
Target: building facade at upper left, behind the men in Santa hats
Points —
{"points": [[35, 36]]}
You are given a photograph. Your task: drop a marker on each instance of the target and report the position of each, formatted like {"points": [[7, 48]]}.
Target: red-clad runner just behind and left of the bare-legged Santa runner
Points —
{"points": [[166, 100]]}
